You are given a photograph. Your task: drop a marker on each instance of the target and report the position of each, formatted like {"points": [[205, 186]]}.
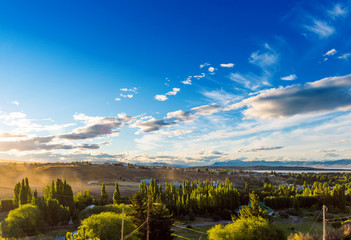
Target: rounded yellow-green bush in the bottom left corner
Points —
{"points": [[23, 221]]}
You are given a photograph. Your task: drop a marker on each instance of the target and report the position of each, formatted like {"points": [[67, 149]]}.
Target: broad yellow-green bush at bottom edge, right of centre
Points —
{"points": [[253, 228]]}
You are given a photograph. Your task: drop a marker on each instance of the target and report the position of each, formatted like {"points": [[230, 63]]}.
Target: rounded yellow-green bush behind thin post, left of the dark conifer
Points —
{"points": [[107, 225]]}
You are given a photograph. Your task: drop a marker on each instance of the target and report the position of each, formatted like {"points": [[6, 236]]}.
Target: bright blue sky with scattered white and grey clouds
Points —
{"points": [[177, 82]]}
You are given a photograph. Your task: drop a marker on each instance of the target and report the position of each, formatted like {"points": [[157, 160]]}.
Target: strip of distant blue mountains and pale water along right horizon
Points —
{"points": [[340, 164]]}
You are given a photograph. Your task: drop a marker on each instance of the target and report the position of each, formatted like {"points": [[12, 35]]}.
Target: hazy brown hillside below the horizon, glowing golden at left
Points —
{"points": [[78, 175]]}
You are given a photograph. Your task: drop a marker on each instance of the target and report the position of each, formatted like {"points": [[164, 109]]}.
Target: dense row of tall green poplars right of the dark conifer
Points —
{"points": [[195, 198]]}
